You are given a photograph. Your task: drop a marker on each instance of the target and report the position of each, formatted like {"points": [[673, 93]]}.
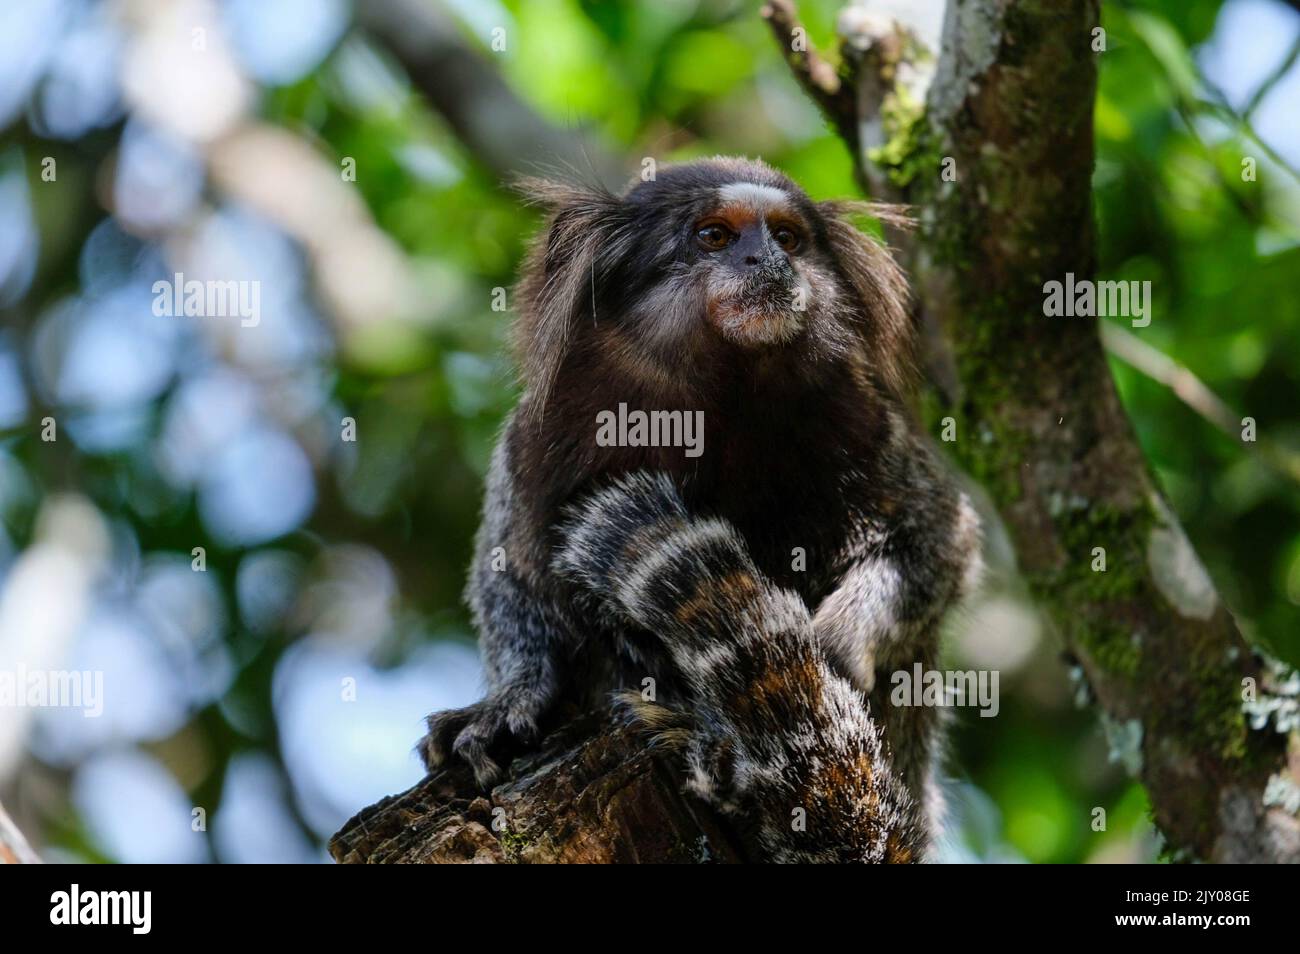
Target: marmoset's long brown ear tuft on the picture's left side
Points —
{"points": [[560, 276]]}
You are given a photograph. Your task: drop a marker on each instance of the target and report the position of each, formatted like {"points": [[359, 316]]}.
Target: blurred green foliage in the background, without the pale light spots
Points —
{"points": [[677, 80]]}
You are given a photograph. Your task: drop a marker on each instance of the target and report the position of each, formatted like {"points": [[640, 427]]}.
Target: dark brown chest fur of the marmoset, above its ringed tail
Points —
{"points": [[796, 474]]}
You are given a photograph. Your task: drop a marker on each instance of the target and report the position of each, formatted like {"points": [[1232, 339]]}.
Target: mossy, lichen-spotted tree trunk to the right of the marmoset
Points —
{"points": [[1042, 428]]}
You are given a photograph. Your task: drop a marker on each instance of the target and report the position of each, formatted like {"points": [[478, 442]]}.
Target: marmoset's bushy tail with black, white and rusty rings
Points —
{"points": [[773, 735]]}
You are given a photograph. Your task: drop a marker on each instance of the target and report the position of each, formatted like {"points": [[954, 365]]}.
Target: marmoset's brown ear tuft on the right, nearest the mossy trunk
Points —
{"points": [[881, 285]]}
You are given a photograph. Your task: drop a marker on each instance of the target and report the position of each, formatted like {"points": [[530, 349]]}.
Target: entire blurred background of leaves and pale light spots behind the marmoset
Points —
{"points": [[283, 687]]}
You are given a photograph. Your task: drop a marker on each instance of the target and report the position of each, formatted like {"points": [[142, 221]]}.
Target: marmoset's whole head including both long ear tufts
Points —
{"points": [[683, 280]]}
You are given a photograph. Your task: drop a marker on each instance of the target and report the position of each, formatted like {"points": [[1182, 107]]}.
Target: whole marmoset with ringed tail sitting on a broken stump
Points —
{"points": [[765, 586]]}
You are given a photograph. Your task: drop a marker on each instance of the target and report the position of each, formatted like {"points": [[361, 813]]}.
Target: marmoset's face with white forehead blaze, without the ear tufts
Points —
{"points": [[738, 249]]}
